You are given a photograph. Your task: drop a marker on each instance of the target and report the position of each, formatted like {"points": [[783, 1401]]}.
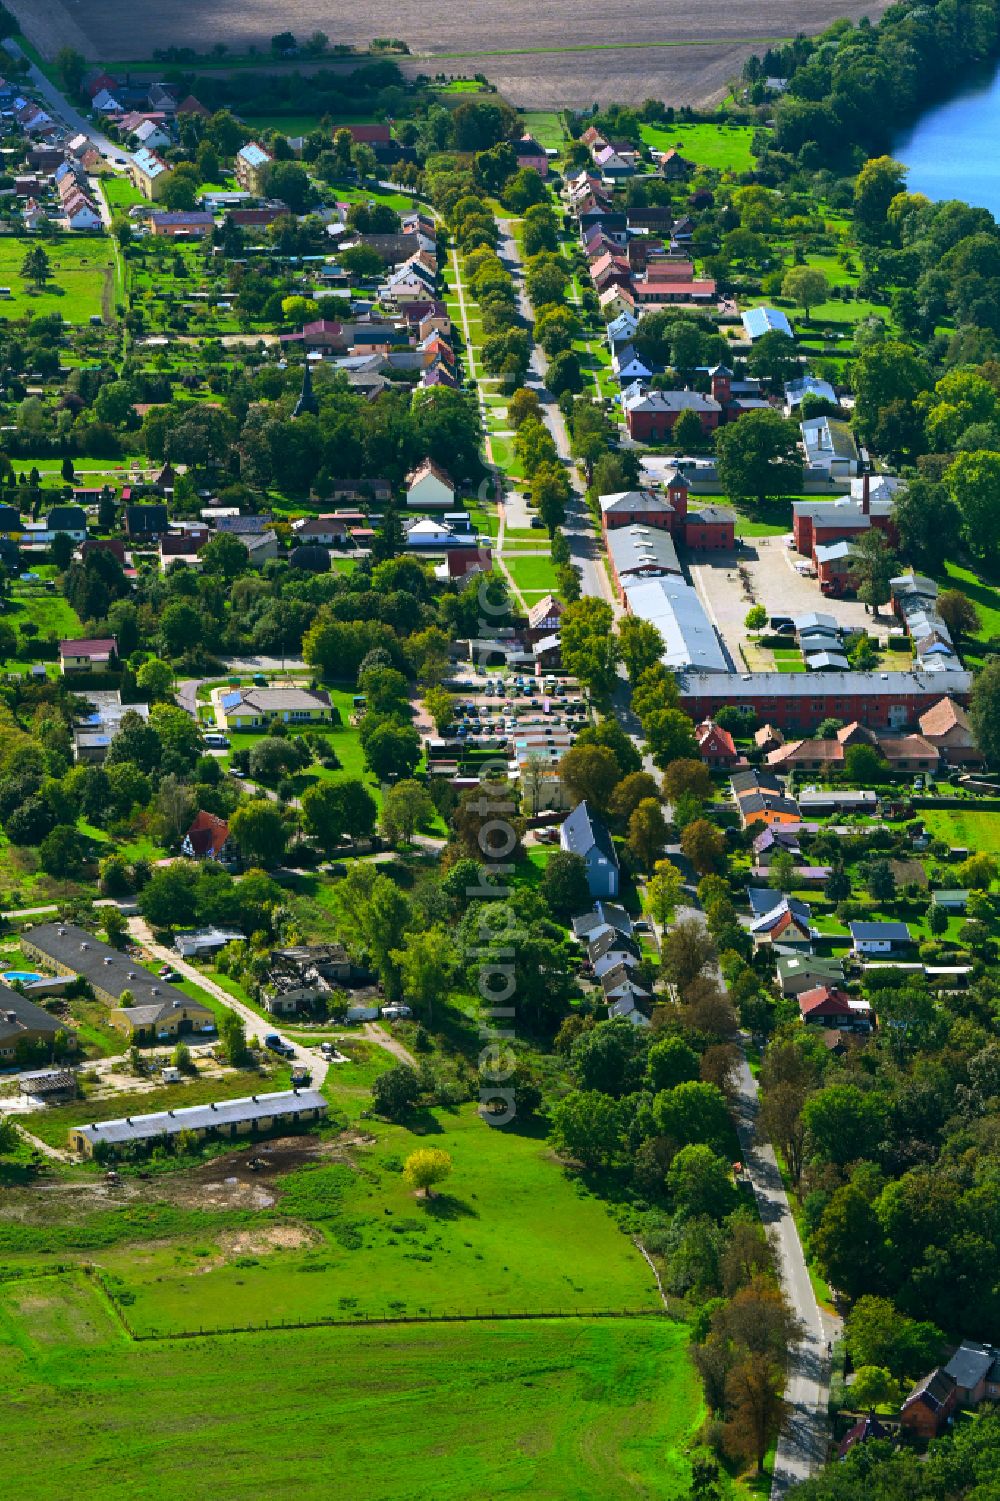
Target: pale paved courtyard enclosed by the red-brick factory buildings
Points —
{"points": [[774, 583]]}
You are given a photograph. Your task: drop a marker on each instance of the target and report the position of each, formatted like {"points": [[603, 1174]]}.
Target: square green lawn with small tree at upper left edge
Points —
{"points": [[82, 281]]}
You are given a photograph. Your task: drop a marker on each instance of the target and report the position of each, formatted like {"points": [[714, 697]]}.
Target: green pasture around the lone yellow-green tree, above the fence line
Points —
{"points": [[489, 1242]]}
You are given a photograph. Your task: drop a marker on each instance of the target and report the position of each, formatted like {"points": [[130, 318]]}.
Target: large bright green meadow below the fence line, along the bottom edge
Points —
{"points": [[547, 1410]]}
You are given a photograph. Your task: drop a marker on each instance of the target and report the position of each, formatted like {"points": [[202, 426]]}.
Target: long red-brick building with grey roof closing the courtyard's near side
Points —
{"points": [[800, 702]]}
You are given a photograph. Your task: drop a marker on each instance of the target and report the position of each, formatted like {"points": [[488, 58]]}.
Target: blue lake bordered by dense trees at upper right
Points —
{"points": [[953, 149]]}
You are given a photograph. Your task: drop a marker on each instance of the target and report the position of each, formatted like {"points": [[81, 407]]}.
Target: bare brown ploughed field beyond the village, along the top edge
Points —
{"points": [[544, 56]]}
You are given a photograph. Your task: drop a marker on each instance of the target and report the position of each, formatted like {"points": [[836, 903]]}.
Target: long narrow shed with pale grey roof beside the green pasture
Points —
{"points": [[223, 1120]]}
